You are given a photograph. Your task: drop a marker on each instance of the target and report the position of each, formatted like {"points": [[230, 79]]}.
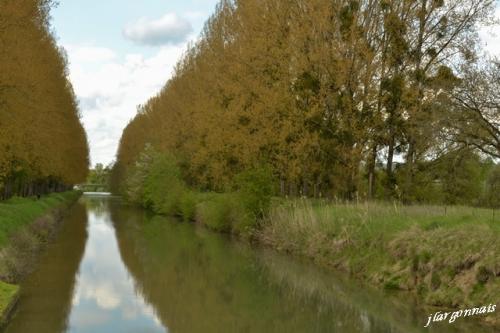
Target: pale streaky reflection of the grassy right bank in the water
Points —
{"points": [[361, 310]]}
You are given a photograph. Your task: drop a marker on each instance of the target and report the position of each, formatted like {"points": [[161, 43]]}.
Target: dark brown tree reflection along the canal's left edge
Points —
{"points": [[46, 295]]}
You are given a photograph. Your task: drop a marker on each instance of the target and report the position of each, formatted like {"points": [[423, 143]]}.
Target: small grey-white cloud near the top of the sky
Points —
{"points": [[169, 29]]}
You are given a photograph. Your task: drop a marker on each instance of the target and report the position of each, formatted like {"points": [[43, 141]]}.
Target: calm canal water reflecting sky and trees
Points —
{"points": [[116, 268]]}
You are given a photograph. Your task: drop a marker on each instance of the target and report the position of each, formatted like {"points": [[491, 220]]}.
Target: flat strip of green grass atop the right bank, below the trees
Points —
{"points": [[370, 221]]}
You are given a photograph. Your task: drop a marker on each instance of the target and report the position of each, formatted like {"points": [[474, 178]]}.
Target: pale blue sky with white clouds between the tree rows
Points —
{"points": [[121, 52]]}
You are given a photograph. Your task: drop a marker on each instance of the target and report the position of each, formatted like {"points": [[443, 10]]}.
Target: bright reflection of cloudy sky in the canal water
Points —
{"points": [[105, 299]]}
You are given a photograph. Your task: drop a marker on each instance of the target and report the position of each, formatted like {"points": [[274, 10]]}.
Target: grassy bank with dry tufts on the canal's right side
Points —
{"points": [[449, 256]]}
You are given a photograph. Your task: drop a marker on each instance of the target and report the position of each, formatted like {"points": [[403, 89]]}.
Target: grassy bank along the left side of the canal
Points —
{"points": [[26, 227]]}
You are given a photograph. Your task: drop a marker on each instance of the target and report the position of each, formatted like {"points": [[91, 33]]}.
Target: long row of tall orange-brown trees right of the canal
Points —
{"points": [[368, 98]]}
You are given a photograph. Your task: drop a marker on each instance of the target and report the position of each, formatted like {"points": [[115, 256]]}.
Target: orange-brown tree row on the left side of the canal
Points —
{"points": [[43, 146]]}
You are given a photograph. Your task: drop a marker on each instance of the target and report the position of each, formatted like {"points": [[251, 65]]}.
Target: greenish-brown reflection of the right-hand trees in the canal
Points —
{"points": [[199, 282]]}
